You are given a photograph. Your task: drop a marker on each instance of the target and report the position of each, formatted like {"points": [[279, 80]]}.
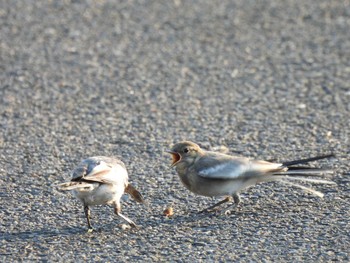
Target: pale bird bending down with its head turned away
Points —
{"points": [[101, 180]]}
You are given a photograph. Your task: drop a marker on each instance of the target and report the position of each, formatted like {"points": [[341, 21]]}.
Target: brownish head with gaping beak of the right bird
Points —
{"points": [[185, 152]]}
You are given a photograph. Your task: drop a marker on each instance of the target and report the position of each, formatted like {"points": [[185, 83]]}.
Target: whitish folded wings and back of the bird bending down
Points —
{"points": [[101, 170]]}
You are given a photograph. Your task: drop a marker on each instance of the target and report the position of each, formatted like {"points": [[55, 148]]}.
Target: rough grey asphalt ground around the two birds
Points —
{"points": [[265, 79]]}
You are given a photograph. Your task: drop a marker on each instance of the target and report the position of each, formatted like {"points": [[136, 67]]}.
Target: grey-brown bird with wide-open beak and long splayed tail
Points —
{"points": [[215, 174]]}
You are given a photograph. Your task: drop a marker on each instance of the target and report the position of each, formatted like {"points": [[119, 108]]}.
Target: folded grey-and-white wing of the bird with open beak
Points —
{"points": [[226, 167]]}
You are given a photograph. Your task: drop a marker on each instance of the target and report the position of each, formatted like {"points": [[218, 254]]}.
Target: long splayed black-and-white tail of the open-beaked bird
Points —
{"points": [[303, 173]]}
